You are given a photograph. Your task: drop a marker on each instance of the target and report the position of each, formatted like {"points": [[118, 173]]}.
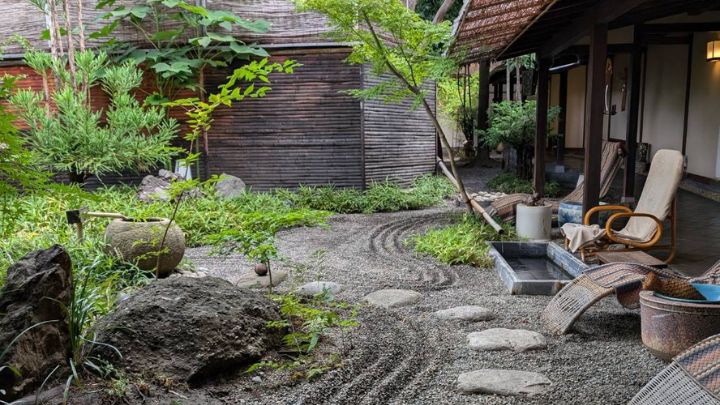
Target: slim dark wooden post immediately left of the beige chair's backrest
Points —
{"points": [[633, 117]]}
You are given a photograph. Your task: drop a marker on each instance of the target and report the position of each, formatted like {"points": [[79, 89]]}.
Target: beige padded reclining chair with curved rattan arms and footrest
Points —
{"points": [[645, 225]]}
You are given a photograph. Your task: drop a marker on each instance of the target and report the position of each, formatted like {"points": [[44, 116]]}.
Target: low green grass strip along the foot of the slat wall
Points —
{"points": [[385, 196]]}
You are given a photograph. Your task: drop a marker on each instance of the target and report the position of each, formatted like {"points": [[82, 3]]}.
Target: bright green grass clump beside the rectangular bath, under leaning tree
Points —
{"points": [[461, 243]]}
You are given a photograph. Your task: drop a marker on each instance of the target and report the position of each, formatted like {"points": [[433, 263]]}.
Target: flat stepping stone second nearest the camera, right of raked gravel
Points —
{"points": [[506, 339]]}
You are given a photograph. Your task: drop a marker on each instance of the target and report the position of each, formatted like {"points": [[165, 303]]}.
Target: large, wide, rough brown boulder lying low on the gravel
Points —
{"points": [[189, 329]]}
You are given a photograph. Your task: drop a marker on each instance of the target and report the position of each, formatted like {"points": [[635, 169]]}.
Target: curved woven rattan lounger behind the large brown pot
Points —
{"points": [[625, 280]]}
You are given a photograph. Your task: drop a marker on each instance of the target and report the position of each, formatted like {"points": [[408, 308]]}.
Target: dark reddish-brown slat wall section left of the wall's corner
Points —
{"points": [[305, 131]]}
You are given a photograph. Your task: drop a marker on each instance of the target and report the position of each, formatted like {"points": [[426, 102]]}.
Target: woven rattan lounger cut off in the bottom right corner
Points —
{"points": [[693, 378]]}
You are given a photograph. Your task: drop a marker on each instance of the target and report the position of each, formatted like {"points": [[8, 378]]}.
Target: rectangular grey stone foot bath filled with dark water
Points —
{"points": [[534, 268]]}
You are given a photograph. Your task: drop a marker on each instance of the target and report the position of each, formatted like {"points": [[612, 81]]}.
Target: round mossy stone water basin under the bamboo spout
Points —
{"points": [[139, 242]]}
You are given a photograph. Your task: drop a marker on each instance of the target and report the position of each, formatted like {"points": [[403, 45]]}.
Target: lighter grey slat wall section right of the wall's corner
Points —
{"points": [[399, 142]]}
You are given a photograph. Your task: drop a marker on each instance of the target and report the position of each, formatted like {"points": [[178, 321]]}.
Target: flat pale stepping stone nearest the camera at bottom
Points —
{"points": [[503, 382]]}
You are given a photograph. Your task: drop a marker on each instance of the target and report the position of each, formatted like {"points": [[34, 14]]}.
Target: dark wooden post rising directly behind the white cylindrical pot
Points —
{"points": [[541, 127]]}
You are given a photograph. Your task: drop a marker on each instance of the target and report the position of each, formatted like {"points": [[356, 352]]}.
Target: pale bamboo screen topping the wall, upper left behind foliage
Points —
{"points": [[287, 25]]}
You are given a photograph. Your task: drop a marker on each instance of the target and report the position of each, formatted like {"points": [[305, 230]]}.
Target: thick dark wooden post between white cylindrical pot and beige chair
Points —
{"points": [[594, 107]]}
